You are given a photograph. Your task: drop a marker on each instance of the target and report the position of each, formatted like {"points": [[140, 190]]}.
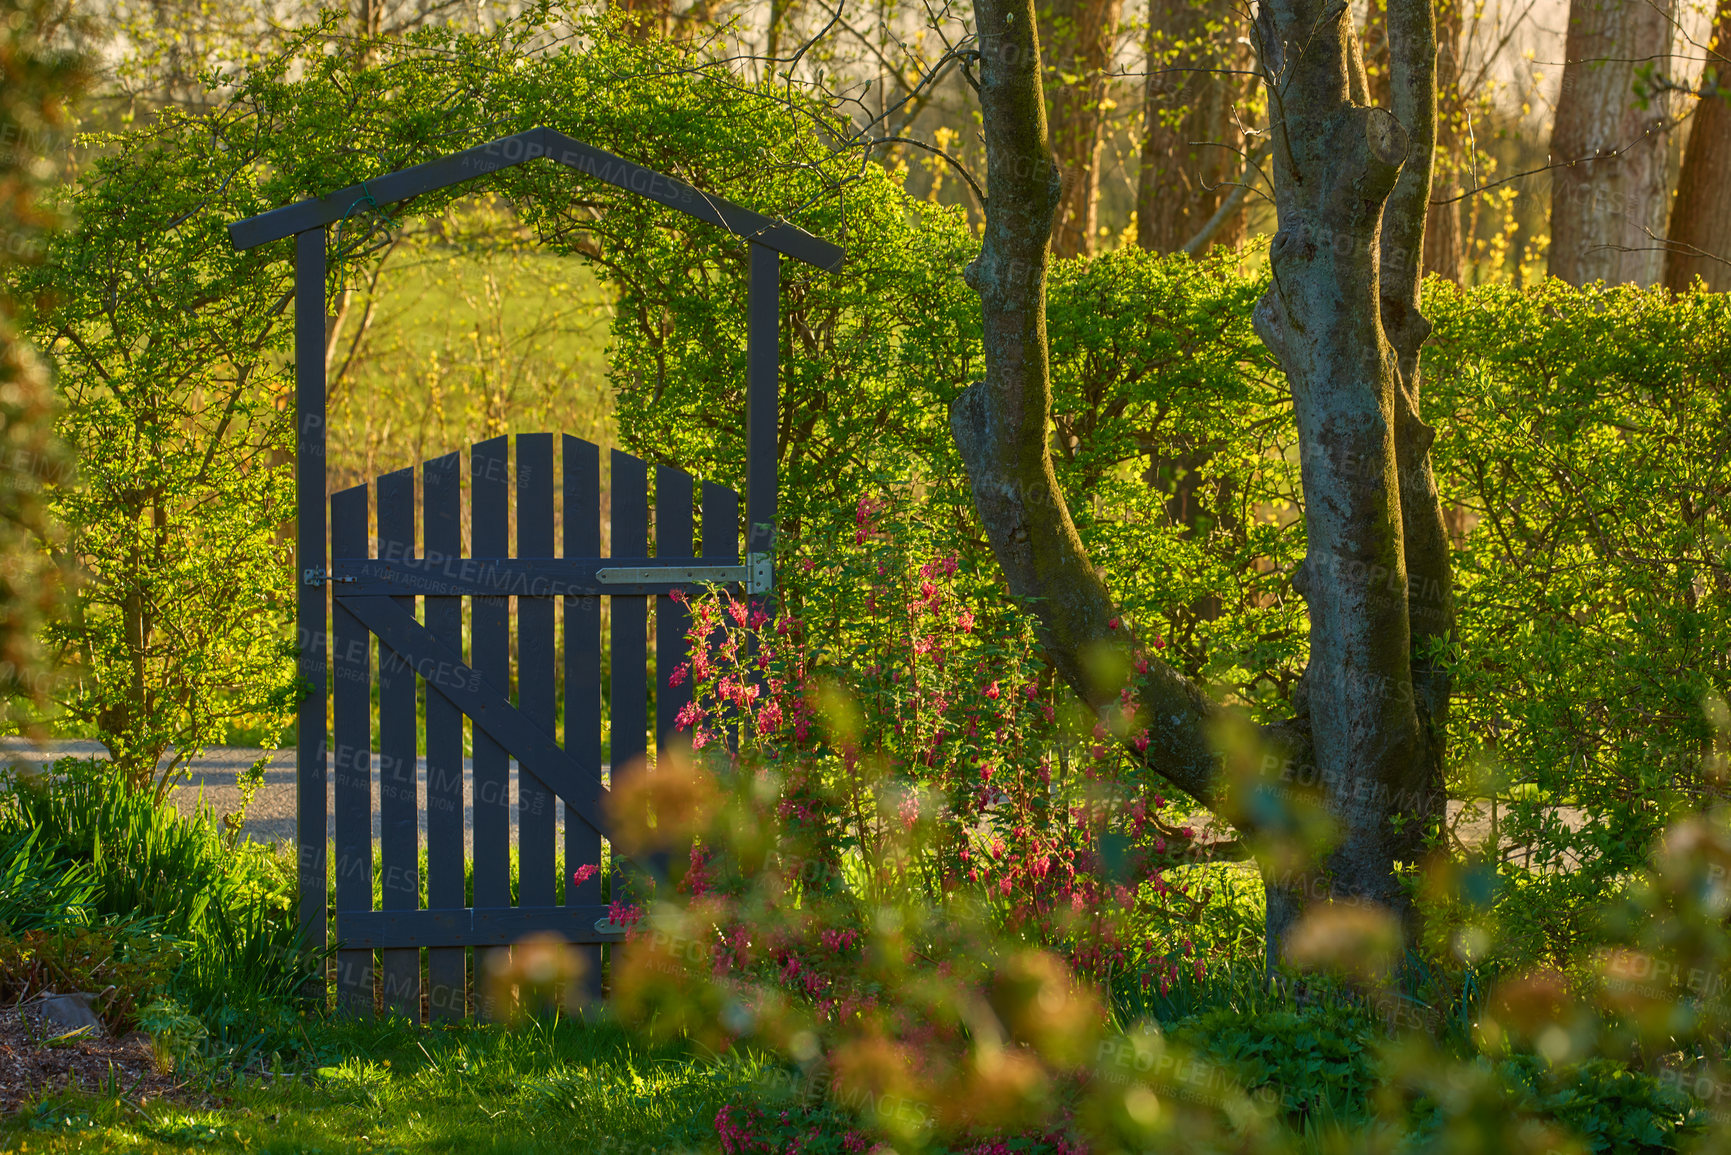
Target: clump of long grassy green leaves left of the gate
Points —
{"points": [[179, 910]]}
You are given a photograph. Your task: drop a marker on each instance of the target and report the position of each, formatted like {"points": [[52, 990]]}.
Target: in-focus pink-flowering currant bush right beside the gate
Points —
{"points": [[899, 707]]}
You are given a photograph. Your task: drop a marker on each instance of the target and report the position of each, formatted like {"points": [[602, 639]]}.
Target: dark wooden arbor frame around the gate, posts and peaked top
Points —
{"points": [[309, 224]]}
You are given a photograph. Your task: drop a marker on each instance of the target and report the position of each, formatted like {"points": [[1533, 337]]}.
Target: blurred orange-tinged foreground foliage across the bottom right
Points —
{"points": [[801, 898]]}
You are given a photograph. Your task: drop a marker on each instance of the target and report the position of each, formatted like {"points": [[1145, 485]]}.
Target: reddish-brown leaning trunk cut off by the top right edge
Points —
{"points": [[1701, 221]]}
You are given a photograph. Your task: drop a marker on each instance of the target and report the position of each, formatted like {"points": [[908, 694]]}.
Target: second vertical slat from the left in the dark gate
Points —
{"points": [[399, 799]]}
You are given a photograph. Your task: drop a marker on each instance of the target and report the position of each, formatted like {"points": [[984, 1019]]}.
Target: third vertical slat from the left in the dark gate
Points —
{"points": [[442, 505]]}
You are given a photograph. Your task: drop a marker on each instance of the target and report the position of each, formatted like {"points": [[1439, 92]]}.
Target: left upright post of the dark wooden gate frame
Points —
{"points": [[311, 571]]}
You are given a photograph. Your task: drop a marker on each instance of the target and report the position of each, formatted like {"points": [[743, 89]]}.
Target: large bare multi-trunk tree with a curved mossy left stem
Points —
{"points": [[1353, 184]]}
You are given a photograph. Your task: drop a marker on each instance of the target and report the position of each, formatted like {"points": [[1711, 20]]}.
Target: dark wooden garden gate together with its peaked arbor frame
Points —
{"points": [[376, 581]]}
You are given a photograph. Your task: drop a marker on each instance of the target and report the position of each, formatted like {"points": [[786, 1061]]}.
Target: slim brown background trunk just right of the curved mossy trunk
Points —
{"points": [[1083, 37]]}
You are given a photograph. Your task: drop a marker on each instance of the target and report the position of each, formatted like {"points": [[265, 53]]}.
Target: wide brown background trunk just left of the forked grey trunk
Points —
{"points": [[1194, 106]]}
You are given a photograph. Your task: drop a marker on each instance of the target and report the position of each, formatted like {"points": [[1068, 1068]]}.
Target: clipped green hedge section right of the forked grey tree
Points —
{"points": [[1585, 451]]}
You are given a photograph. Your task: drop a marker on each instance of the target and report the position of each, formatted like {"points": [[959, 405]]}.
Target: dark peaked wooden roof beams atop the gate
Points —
{"points": [[520, 150]]}
